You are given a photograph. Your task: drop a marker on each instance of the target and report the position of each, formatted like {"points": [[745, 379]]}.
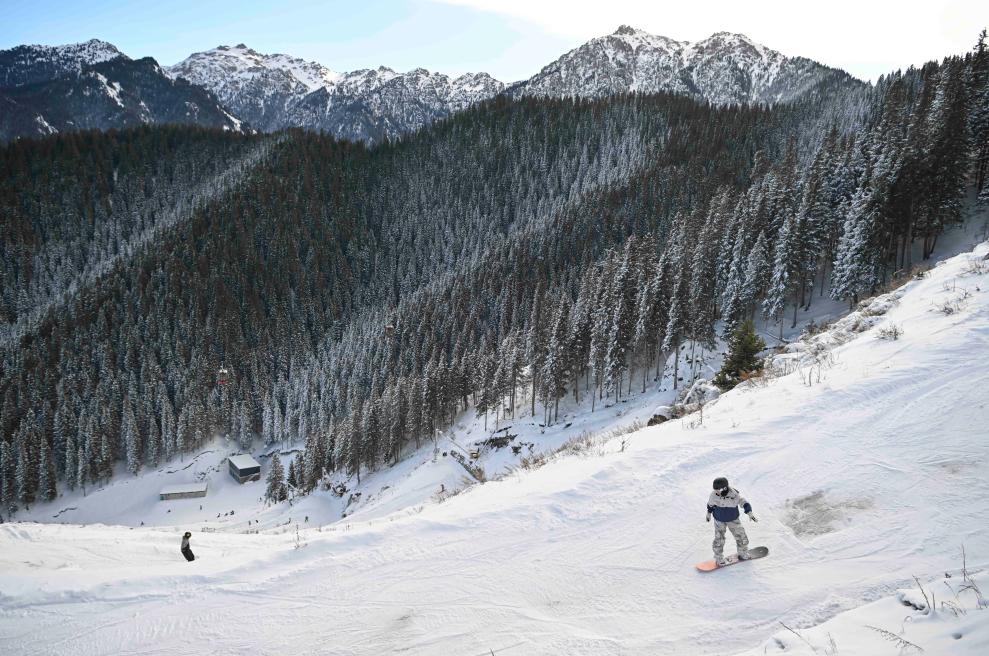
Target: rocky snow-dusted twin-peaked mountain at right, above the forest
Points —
{"points": [[723, 68]]}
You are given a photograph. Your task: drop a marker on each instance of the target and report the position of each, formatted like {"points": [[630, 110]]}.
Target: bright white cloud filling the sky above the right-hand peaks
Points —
{"points": [[864, 37]]}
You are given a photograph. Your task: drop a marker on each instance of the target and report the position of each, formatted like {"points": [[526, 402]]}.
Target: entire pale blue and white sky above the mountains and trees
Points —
{"points": [[510, 39]]}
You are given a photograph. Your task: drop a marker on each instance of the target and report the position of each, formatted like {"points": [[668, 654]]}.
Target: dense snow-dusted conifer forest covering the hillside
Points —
{"points": [[520, 251]]}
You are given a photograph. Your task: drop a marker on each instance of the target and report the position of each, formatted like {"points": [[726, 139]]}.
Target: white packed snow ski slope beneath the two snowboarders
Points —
{"points": [[866, 465]]}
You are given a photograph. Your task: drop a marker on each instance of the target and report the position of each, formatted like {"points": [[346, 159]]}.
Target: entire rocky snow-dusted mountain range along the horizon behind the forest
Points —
{"points": [[238, 88]]}
